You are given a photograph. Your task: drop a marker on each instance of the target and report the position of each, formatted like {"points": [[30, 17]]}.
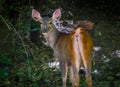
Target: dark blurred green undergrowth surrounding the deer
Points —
{"points": [[24, 59]]}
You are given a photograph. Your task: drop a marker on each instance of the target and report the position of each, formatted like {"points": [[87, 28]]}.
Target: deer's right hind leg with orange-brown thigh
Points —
{"points": [[86, 58]]}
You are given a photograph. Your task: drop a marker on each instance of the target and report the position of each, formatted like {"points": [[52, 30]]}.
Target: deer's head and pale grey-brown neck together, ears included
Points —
{"points": [[47, 25]]}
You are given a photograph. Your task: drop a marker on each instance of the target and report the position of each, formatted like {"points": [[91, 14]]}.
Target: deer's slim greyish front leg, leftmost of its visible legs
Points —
{"points": [[64, 70]]}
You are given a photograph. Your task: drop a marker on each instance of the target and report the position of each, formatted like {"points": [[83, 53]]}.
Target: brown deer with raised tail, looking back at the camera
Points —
{"points": [[72, 49]]}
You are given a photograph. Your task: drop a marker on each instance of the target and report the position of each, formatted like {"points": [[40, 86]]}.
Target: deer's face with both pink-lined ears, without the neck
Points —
{"points": [[46, 23]]}
